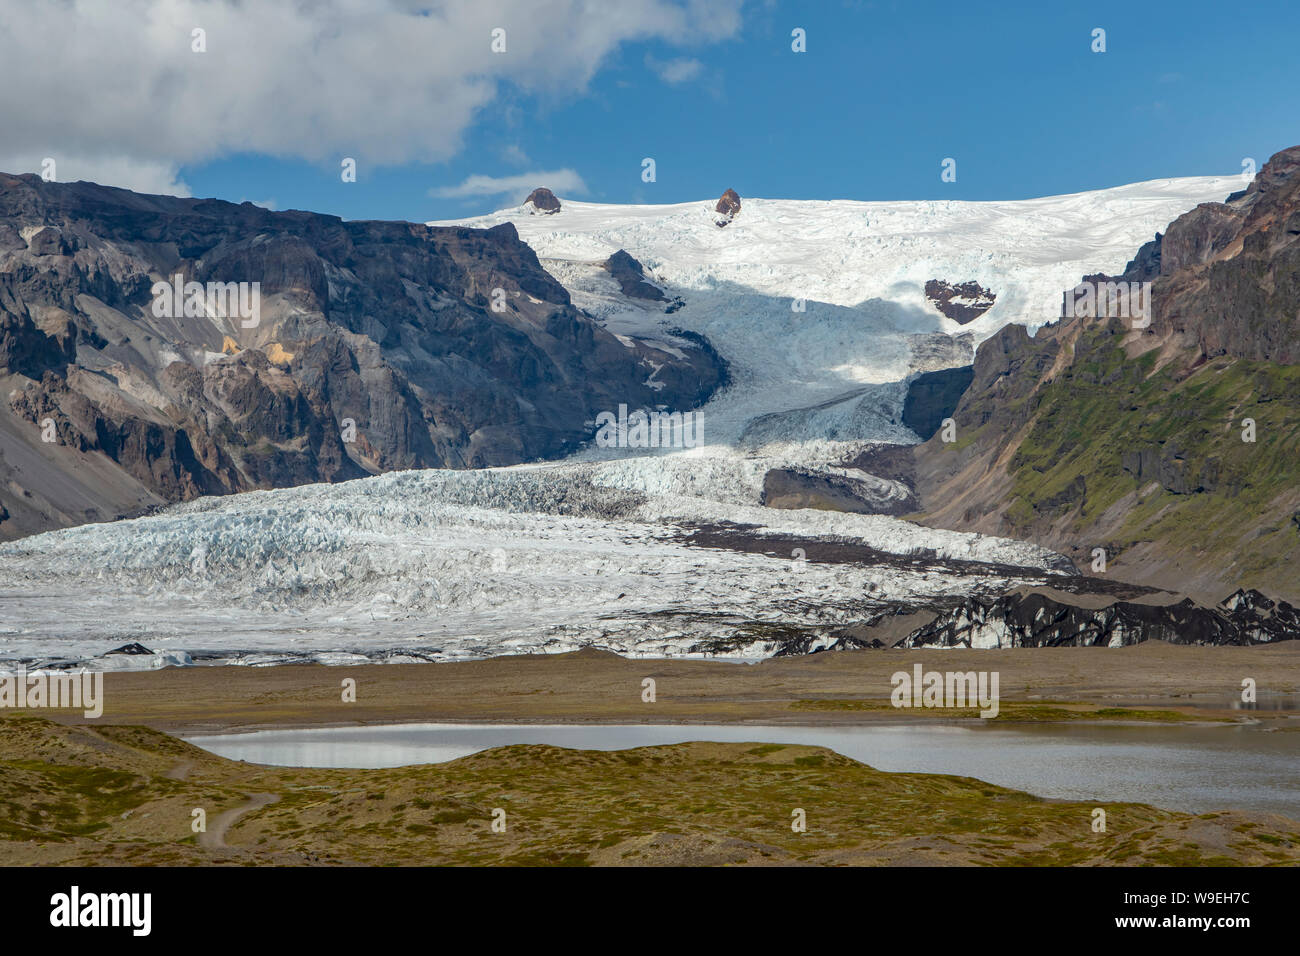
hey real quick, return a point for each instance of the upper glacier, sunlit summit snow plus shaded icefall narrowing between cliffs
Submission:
(812, 301)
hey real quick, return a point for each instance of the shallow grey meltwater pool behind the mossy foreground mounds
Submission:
(1193, 769)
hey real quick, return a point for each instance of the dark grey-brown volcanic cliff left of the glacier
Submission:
(378, 347)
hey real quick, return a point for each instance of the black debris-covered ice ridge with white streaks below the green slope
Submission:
(1038, 621)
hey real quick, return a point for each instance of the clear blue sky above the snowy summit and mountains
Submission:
(885, 93)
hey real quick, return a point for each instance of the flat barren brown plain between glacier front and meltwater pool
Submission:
(591, 686)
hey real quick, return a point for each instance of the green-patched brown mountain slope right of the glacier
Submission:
(1099, 434)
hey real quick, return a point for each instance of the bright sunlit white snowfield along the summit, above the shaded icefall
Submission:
(846, 253)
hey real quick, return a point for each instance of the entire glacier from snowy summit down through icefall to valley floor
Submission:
(601, 550)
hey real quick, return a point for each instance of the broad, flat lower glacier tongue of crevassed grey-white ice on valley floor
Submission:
(445, 564)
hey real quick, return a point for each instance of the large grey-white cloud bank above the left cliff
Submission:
(118, 90)
